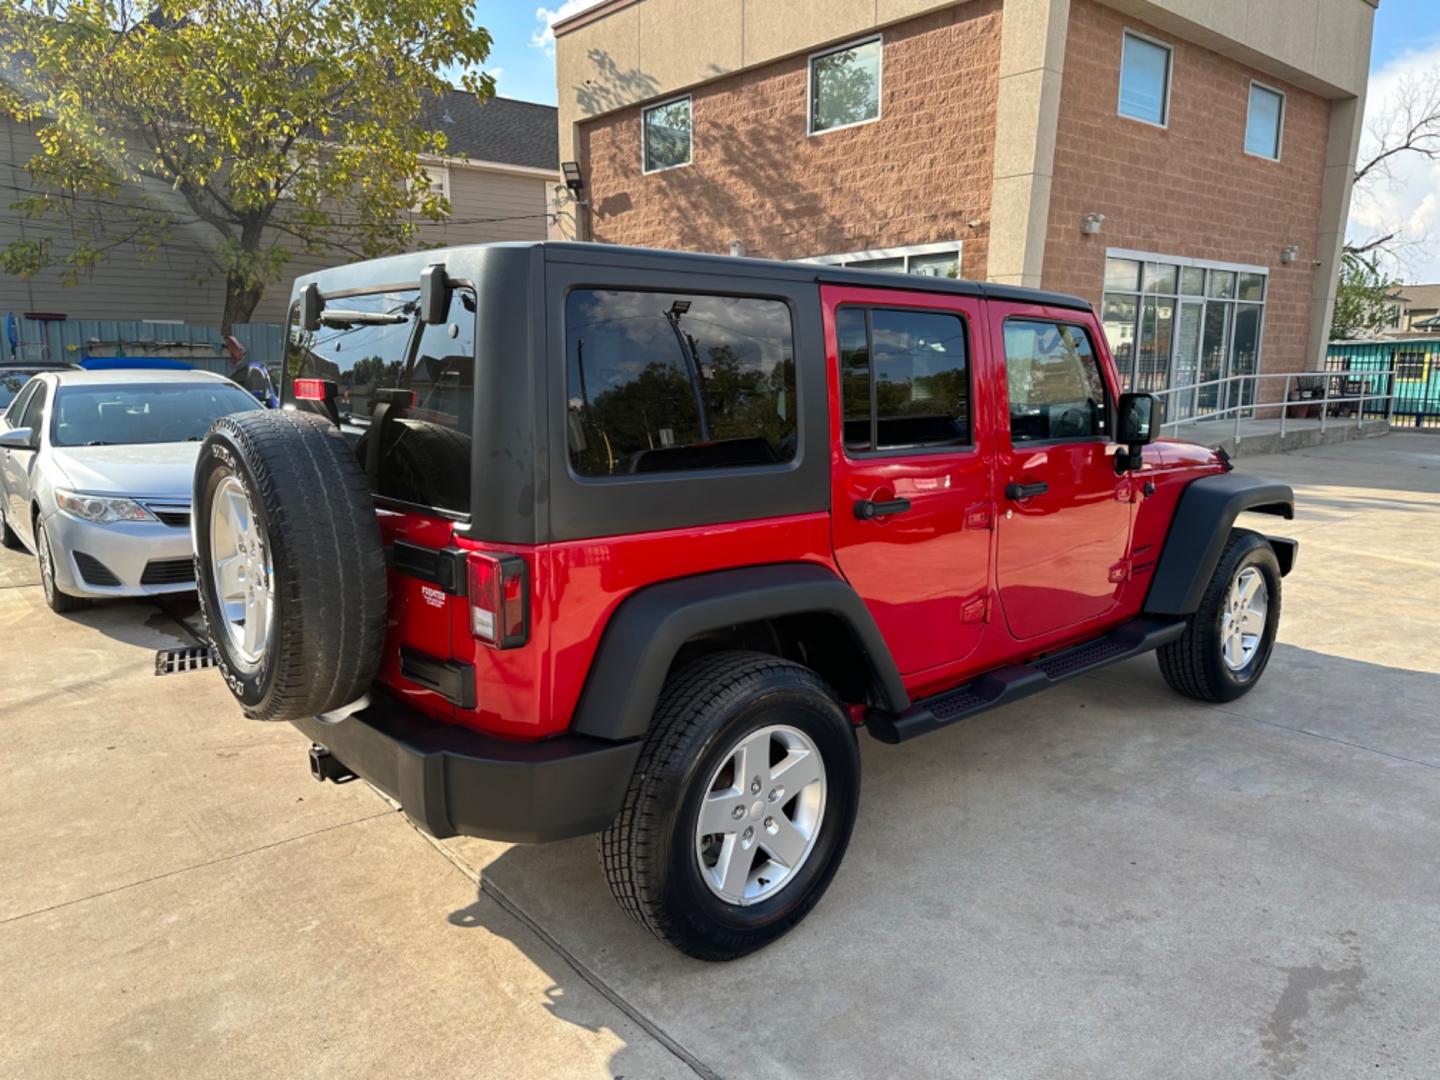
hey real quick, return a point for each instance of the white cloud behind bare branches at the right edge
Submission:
(1406, 197)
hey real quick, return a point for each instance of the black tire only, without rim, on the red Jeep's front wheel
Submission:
(1193, 663)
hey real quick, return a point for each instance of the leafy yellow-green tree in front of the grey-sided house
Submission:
(269, 127)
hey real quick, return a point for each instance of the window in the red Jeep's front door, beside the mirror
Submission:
(1056, 388)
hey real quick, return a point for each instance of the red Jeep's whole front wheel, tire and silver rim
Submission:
(1228, 642)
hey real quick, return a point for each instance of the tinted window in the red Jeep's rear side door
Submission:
(905, 379)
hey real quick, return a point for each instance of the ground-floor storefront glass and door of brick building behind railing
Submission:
(1174, 323)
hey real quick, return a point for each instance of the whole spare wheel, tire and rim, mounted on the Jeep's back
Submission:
(290, 568)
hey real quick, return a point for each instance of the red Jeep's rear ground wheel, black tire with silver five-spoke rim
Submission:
(741, 807)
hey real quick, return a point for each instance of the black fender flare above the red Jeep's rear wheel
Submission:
(649, 627)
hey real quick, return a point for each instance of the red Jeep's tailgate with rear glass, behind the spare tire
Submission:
(404, 394)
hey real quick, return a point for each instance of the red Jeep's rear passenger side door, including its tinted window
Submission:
(912, 503)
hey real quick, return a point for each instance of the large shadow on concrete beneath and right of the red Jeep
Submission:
(1088, 860)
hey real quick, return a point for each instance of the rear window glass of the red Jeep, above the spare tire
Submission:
(424, 374)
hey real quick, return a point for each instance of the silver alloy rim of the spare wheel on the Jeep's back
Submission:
(244, 577)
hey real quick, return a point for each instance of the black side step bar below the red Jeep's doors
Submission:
(1012, 683)
